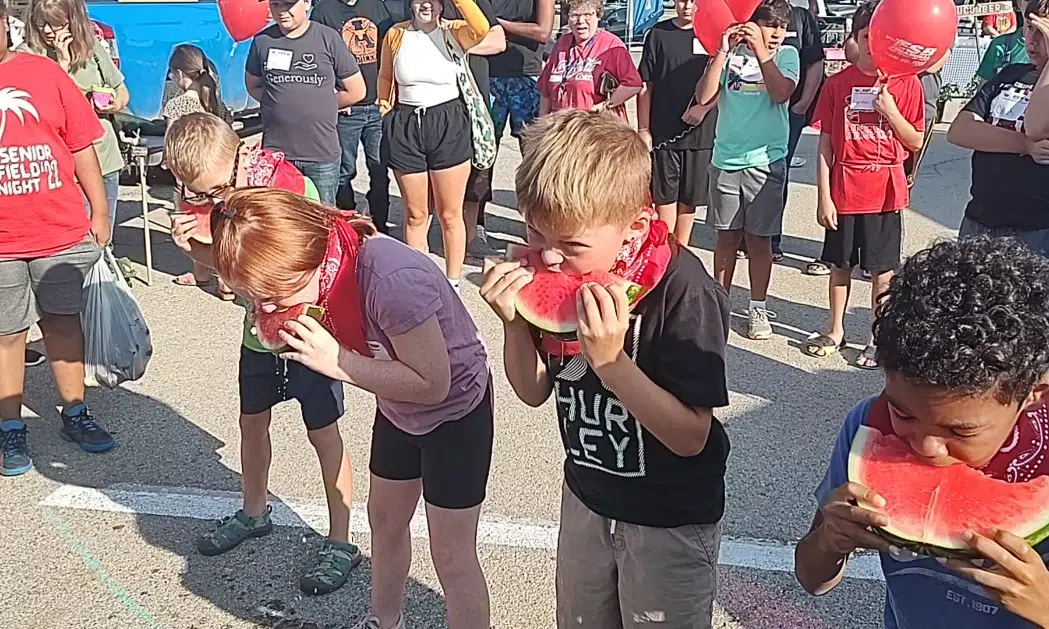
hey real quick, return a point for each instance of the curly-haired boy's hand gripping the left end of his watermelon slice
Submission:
(847, 527)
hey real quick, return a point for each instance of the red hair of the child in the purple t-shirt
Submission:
(266, 242)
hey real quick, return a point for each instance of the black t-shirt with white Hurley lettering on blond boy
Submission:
(618, 469)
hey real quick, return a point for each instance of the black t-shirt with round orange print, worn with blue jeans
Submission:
(363, 25)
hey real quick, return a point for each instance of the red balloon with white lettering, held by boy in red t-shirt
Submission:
(909, 36)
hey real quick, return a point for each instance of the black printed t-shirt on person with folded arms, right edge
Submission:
(1009, 190)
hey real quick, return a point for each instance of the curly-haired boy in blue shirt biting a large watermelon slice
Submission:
(964, 339)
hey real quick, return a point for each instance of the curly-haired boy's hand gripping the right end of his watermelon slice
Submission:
(1019, 579)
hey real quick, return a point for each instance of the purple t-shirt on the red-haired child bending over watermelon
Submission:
(401, 289)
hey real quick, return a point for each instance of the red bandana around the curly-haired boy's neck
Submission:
(1024, 457)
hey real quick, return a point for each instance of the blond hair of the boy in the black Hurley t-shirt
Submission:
(582, 169)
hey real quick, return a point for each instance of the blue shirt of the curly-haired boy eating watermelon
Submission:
(922, 594)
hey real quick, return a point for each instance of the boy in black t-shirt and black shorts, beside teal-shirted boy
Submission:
(677, 129)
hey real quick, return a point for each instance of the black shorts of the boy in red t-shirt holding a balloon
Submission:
(873, 242)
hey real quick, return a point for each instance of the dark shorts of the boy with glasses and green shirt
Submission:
(267, 380)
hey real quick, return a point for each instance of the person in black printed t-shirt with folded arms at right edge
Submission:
(1010, 170)
